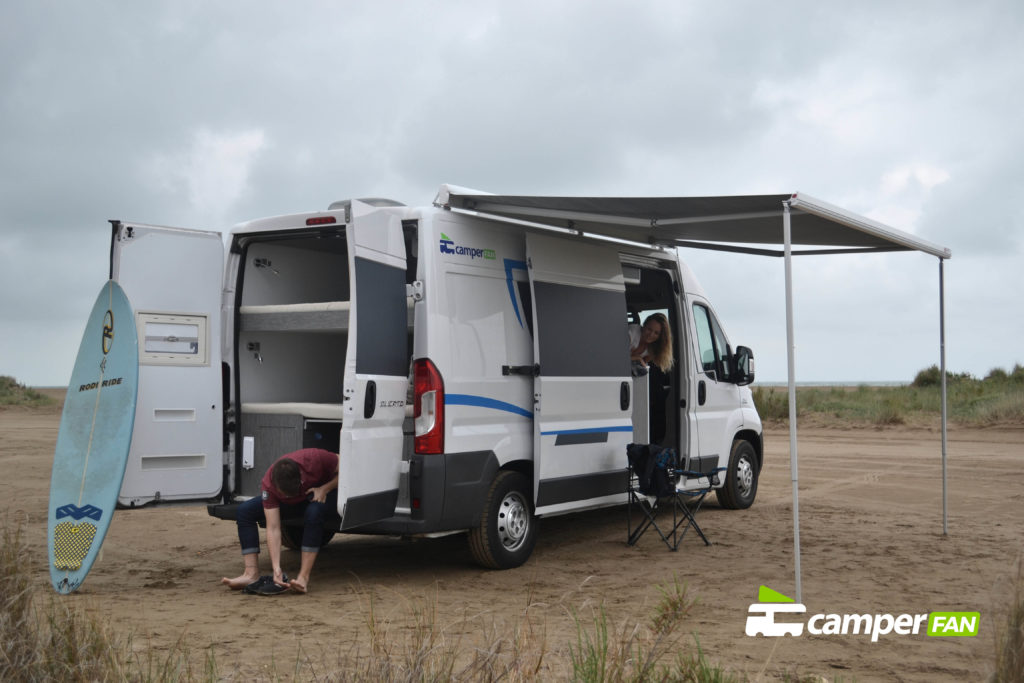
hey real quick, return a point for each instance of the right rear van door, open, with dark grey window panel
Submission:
(376, 368)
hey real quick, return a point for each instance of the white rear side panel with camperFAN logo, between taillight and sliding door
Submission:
(479, 326)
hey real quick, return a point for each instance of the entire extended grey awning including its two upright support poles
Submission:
(774, 223)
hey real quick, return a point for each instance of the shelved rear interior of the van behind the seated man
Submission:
(292, 337)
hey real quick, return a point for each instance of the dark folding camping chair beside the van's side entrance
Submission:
(659, 486)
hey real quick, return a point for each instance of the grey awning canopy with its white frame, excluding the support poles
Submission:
(729, 224)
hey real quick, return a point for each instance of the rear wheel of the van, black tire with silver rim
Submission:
(507, 533)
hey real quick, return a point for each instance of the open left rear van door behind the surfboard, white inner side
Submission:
(174, 279)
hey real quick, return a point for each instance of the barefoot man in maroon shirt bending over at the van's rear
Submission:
(304, 483)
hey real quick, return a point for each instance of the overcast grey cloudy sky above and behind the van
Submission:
(205, 114)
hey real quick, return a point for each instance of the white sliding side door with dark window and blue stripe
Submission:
(583, 392)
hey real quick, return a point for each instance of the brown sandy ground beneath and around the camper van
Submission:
(871, 504)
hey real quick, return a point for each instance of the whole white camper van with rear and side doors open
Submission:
(472, 370)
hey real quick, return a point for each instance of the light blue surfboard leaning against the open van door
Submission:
(96, 435)
